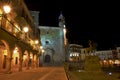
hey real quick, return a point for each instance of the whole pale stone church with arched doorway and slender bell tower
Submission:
(52, 41)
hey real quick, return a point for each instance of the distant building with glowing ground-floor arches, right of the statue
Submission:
(109, 58)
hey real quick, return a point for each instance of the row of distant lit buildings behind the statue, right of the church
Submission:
(107, 58)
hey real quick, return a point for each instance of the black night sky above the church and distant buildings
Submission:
(98, 21)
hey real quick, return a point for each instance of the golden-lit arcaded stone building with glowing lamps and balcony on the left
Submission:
(19, 46)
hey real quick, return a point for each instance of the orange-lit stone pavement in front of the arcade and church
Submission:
(42, 73)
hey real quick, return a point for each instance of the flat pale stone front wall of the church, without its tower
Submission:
(53, 45)
